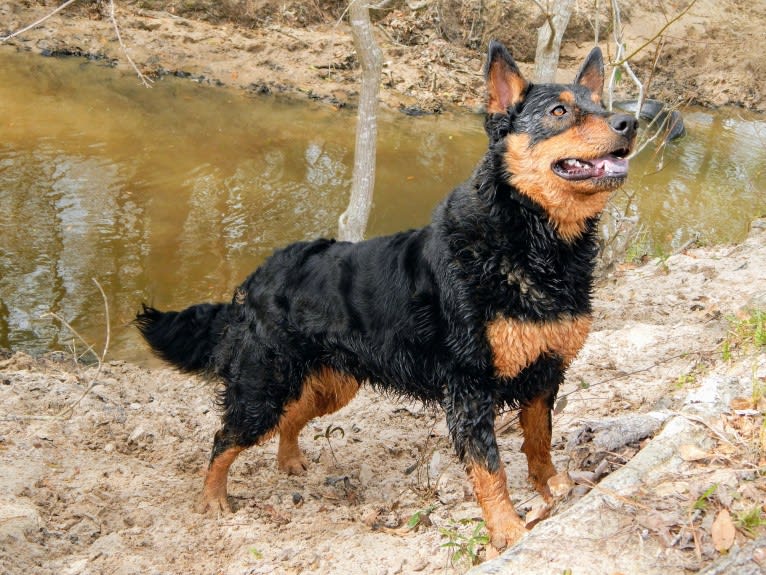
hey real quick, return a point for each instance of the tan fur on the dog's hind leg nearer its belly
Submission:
(323, 392)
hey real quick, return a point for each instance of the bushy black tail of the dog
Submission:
(185, 339)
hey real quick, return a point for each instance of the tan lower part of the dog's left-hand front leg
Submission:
(491, 488)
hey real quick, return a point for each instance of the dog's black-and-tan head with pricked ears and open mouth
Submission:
(560, 147)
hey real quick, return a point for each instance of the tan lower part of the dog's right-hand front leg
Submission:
(536, 425)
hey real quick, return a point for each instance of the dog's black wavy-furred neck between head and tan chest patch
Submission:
(498, 236)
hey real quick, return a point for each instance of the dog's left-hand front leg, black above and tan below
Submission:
(471, 418)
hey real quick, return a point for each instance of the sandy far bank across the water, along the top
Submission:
(712, 56)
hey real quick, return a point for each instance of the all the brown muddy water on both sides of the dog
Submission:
(173, 195)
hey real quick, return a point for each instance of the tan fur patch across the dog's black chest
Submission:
(516, 344)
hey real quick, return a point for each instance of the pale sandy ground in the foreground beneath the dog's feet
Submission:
(112, 488)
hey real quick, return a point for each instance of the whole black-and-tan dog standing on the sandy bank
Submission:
(483, 308)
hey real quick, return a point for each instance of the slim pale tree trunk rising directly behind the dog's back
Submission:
(353, 221)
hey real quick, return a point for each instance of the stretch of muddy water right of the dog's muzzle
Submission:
(710, 185)
